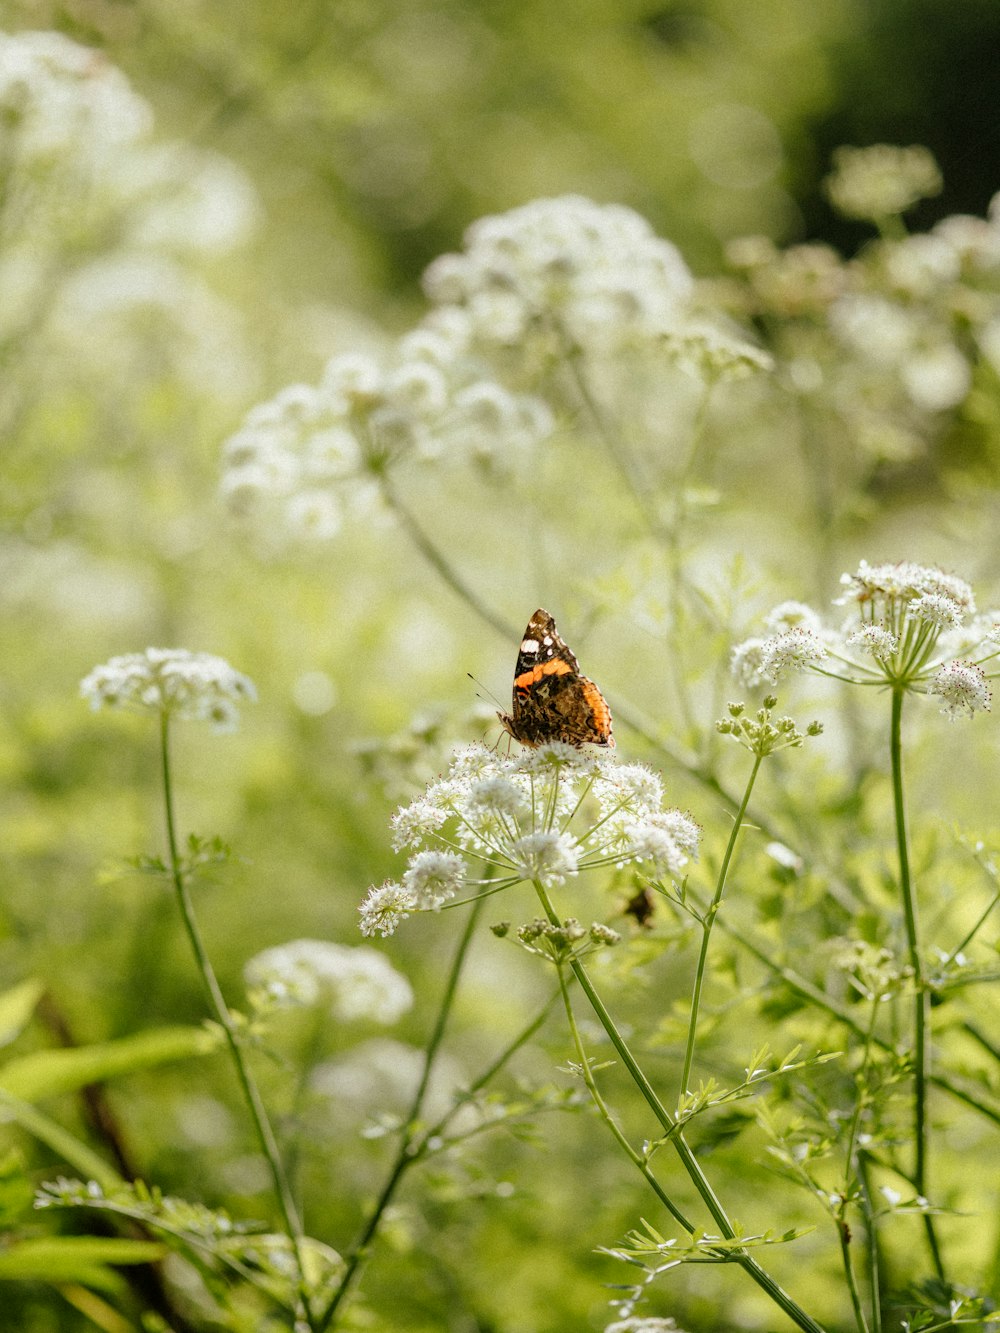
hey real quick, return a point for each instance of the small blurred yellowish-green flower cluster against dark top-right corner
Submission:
(882, 182)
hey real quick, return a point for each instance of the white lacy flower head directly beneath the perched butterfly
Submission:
(545, 815)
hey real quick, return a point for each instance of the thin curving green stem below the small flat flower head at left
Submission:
(251, 1095)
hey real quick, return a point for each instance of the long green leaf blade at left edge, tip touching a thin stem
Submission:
(47, 1074)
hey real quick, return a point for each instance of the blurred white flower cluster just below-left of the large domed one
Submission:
(317, 451)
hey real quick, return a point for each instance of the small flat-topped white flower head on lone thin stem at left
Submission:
(171, 680)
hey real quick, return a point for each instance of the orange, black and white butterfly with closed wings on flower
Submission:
(553, 702)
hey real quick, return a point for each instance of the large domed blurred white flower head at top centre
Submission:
(563, 273)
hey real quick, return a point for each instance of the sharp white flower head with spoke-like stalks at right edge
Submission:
(909, 626)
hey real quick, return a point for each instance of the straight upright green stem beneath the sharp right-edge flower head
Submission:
(922, 1000)
